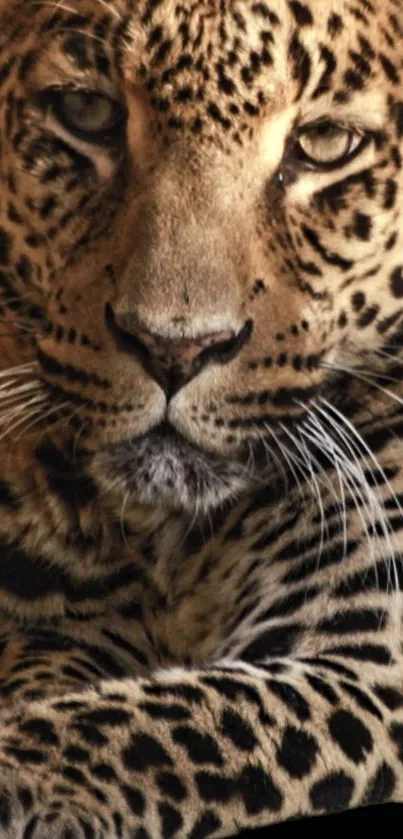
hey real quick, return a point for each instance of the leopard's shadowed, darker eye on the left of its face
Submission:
(90, 115)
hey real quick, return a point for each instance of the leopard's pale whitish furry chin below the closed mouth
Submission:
(162, 468)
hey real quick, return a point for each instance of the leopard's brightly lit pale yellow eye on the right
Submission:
(327, 145)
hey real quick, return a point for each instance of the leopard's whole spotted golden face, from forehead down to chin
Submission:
(200, 222)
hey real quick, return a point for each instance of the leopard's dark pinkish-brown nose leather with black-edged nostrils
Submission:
(174, 363)
